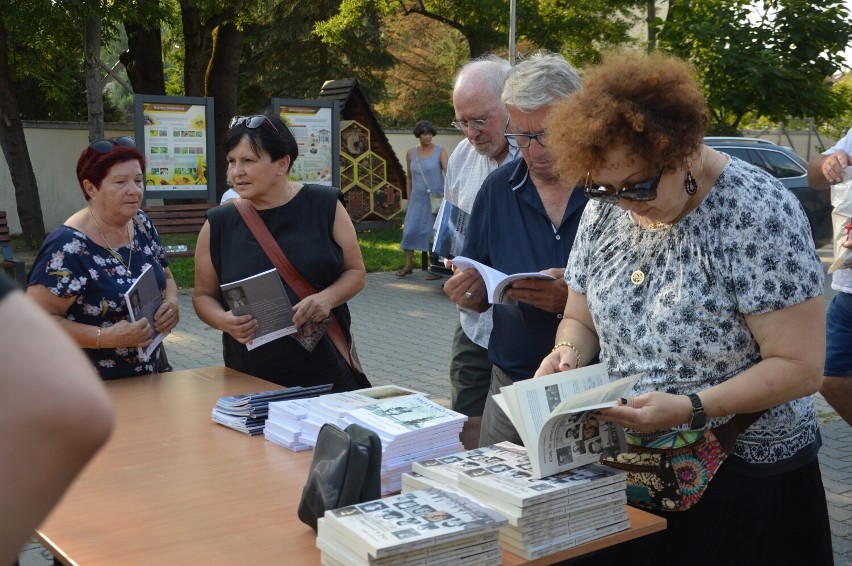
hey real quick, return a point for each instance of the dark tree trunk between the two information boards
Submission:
(221, 83)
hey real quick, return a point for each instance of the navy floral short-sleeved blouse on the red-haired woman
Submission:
(70, 264)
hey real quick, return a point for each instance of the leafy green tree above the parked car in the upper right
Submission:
(767, 59)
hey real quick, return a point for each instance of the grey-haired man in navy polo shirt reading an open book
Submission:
(523, 220)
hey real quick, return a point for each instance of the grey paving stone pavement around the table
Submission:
(404, 329)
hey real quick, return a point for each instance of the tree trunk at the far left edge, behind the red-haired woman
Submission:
(14, 146)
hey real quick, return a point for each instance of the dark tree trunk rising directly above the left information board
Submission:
(144, 62)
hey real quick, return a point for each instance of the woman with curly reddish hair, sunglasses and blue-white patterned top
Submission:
(697, 272)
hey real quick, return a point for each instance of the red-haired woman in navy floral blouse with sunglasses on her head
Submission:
(87, 264)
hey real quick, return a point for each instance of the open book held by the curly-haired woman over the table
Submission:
(551, 414)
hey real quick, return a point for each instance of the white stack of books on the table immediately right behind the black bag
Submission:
(411, 428)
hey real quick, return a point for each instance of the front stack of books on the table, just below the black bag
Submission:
(430, 526)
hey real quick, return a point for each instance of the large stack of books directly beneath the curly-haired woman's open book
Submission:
(544, 515)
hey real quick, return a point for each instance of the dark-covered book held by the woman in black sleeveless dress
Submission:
(264, 298)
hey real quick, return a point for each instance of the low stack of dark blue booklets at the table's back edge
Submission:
(248, 413)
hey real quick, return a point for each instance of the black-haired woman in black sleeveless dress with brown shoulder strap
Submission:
(315, 232)
